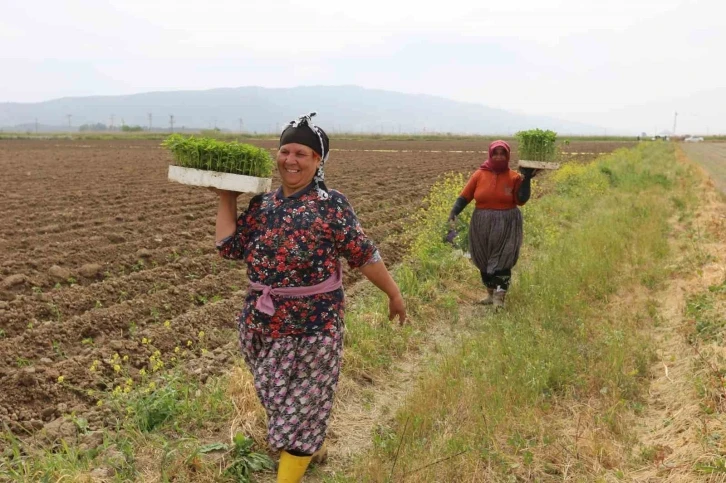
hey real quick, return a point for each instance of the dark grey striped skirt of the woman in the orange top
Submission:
(495, 237)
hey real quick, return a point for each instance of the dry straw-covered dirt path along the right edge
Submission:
(676, 434)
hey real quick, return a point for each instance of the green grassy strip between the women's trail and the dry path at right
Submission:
(492, 399)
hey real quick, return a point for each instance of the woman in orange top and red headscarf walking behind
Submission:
(495, 233)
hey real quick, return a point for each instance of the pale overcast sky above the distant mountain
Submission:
(620, 64)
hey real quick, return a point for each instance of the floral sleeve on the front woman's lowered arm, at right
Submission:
(351, 241)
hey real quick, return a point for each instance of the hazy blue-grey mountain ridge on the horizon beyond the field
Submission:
(339, 108)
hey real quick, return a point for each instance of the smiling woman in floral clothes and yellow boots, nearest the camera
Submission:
(291, 326)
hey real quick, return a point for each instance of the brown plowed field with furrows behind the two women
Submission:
(101, 255)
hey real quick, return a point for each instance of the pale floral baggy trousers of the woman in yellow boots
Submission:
(295, 378)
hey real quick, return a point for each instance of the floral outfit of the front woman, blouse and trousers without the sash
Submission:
(295, 354)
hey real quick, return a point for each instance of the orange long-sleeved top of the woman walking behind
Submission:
(493, 191)
